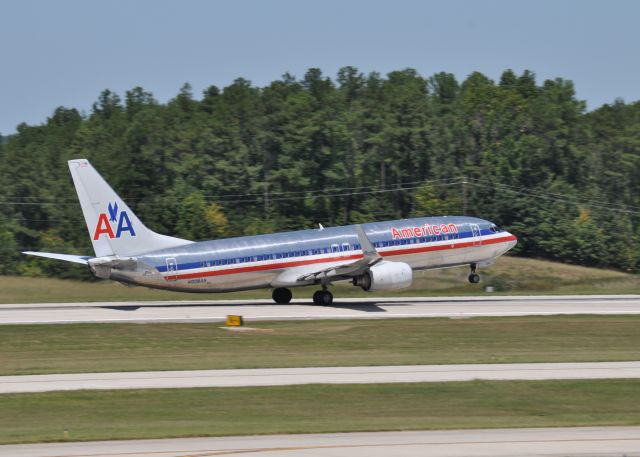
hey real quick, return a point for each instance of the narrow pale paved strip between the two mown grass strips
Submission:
(324, 375)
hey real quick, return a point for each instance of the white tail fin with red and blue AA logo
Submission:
(114, 229)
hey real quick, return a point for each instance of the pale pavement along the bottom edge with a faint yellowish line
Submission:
(586, 441)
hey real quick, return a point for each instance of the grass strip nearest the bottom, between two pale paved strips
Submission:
(129, 414)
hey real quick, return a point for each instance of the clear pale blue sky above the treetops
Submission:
(65, 52)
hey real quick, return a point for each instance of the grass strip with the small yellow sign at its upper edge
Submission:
(75, 348)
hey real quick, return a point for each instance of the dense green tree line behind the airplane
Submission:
(244, 160)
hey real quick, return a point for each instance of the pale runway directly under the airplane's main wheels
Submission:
(354, 308)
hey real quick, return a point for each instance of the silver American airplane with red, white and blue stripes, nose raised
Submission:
(375, 256)
